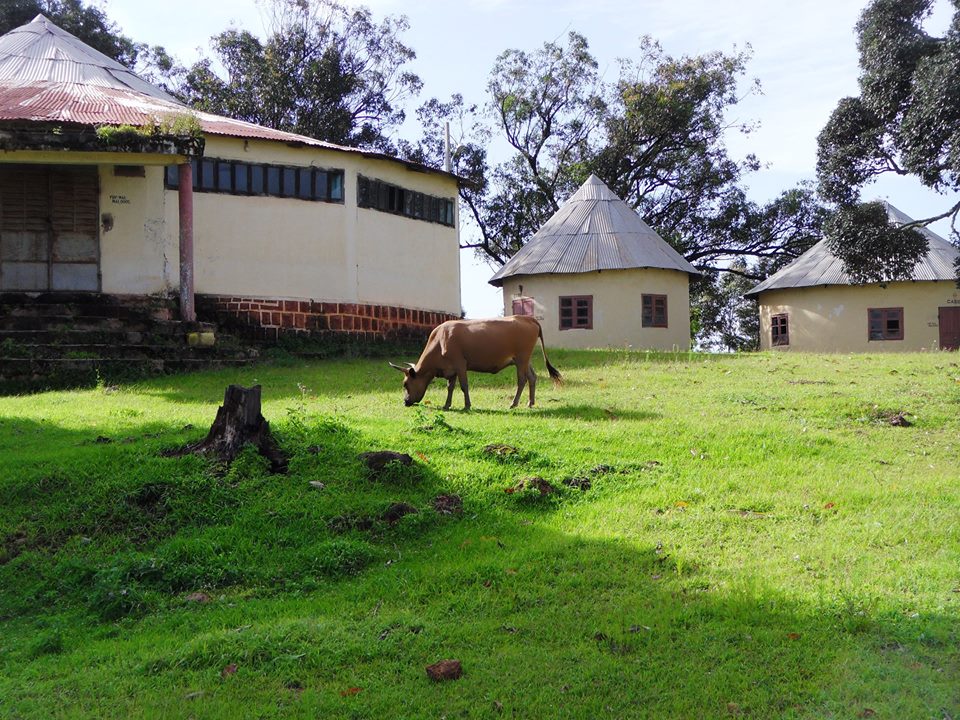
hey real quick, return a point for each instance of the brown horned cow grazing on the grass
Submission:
(457, 346)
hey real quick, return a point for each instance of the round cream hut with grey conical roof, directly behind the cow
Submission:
(596, 275)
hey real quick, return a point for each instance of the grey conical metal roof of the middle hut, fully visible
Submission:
(594, 230)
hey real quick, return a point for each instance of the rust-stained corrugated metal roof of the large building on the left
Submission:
(49, 75)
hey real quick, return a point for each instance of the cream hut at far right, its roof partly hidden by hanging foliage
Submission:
(812, 305)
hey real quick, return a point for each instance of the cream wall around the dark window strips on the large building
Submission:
(285, 248)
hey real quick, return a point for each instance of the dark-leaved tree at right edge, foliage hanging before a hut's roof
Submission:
(906, 121)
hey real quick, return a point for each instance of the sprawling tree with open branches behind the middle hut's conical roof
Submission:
(656, 136)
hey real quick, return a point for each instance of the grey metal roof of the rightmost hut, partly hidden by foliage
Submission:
(819, 266)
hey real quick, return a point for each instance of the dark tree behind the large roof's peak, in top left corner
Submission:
(87, 22)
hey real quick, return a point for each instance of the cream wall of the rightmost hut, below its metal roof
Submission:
(834, 318)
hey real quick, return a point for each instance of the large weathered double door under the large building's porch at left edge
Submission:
(49, 228)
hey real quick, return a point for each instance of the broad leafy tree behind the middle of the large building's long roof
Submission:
(324, 70)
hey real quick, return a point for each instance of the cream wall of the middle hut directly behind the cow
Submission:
(616, 307)
